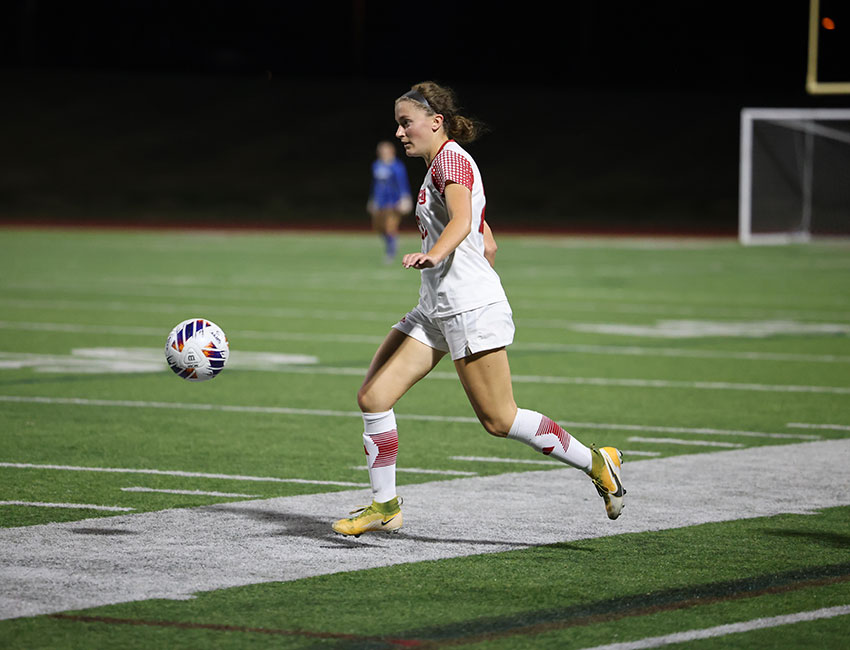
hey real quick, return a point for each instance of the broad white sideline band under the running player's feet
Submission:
(177, 552)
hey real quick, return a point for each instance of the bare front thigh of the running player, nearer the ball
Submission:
(399, 363)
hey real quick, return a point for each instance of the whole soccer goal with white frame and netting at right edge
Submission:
(794, 175)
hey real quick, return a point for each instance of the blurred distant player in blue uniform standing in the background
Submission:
(389, 196)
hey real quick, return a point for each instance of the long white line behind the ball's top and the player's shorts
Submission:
(617, 350)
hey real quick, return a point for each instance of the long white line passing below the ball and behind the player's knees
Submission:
(281, 410)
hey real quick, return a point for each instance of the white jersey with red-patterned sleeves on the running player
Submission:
(464, 280)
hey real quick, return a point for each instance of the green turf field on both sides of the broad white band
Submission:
(665, 348)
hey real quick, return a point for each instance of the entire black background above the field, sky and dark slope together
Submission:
(602, 115)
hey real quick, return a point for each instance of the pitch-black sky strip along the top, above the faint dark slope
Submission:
(648, 44)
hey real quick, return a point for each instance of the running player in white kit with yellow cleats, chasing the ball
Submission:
(462, 311)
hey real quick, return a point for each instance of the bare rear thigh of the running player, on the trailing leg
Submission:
(486, 378)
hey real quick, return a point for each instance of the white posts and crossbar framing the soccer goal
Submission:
(798, 119)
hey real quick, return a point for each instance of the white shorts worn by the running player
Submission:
(469, 332)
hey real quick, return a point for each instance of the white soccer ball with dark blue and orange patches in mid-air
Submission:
(197, 349)
